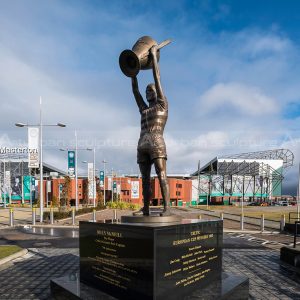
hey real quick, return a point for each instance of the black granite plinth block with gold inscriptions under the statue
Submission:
(151, 261)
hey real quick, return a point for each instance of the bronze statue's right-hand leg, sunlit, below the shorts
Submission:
(161, 171)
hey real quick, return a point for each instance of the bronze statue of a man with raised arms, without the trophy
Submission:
(151, 146)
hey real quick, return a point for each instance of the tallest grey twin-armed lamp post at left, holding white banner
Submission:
(41, 125)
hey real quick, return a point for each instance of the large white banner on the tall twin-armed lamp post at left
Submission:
(33, 147)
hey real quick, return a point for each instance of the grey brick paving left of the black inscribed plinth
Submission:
(29, 278)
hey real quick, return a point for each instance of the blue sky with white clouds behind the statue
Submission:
(231, 76)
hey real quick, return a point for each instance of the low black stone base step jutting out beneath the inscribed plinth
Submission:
(230, 287)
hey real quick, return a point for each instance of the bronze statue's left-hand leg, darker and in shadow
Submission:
(145, 168)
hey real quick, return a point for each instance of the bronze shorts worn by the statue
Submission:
(151, 146)
